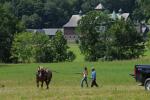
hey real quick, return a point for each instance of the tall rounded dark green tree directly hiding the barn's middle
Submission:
(92, 35)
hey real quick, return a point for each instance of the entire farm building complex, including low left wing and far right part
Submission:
(69, 29)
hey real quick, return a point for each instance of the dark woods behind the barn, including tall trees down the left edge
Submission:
(18, 15)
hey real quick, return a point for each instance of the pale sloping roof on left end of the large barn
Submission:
(73, 22)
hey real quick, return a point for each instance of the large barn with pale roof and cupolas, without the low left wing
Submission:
(70, 27)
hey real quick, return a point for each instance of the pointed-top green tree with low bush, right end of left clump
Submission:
(60, 47)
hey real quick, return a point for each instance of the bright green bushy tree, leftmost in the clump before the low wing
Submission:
(23, 50)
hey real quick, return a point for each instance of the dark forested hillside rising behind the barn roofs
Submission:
(55, 13)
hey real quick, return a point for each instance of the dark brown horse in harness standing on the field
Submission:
(43, 75)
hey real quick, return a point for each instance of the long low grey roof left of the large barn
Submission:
(49, 31)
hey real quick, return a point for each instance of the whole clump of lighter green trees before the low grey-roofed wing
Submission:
(37, 47)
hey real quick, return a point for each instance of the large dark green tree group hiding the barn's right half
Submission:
(104, 38)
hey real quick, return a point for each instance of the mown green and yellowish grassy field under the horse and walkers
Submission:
(17, 81)
